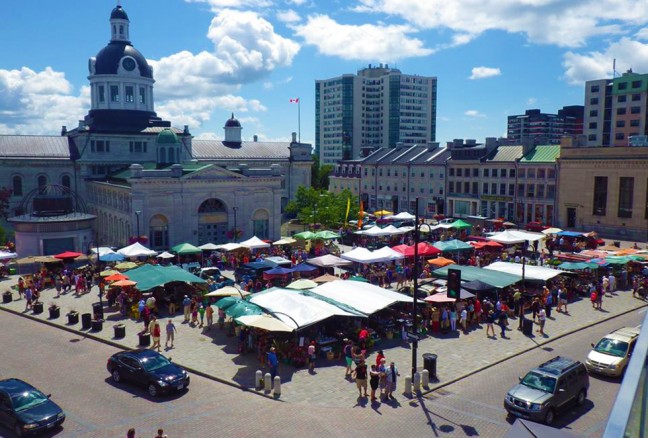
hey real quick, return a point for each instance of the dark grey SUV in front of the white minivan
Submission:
(548, 389)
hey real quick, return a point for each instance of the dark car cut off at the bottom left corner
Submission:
(26, 410)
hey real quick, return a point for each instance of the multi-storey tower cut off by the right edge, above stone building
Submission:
(616, 111)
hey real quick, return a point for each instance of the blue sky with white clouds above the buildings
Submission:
(492, 58)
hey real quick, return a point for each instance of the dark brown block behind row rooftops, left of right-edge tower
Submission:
(543, 127)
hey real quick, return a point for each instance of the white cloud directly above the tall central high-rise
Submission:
(361, 42)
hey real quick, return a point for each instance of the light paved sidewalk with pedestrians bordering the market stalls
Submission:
(214, 354)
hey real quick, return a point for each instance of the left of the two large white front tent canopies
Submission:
(296, 308)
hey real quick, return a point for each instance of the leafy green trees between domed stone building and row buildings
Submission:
(314, 206)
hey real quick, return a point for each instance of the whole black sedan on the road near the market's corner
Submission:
(148, 368)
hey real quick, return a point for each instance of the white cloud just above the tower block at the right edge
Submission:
(598, 65)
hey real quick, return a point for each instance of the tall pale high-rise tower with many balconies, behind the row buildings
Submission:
(378, 107)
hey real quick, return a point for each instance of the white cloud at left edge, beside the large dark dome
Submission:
(38, 102)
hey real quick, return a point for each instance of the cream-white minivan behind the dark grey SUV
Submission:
(611, 354)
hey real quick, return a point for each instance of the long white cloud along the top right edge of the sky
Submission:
(559, 22)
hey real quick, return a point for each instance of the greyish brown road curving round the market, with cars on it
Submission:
(72, 369)
